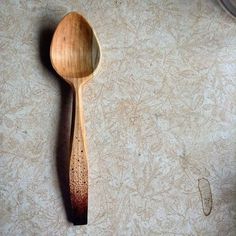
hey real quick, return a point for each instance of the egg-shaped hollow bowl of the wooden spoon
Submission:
(74, 51)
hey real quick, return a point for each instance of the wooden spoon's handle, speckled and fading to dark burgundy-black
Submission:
(78, 174)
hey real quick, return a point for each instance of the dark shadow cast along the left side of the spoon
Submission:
(63, 144)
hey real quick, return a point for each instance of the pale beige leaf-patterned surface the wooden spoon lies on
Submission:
(160, 115)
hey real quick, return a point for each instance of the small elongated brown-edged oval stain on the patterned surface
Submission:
(206, 195)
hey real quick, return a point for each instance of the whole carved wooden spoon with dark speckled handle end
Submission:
(75, 54)
